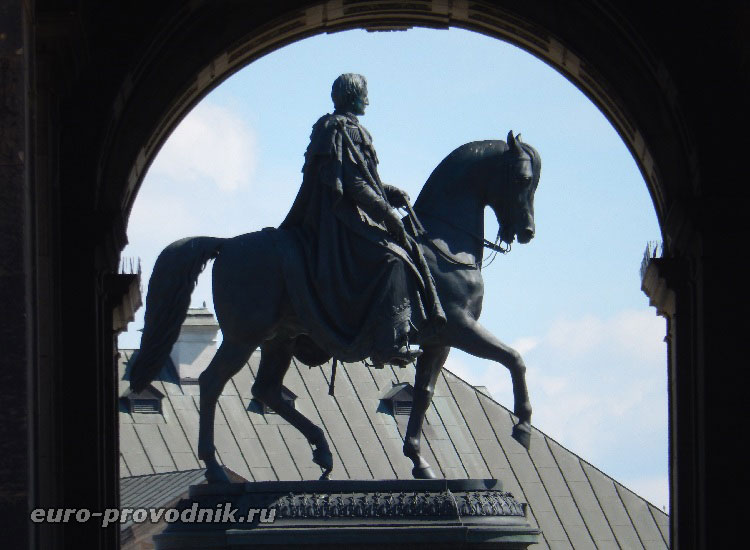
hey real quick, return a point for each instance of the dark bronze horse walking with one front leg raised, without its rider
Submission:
(253, 308)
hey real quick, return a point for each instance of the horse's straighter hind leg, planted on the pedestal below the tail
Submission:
(227, 362)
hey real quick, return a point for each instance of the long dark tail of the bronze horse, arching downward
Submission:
(172, 282)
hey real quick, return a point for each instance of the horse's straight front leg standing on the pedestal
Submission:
(428, 369)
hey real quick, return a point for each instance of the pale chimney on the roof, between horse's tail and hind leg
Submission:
(196, 345)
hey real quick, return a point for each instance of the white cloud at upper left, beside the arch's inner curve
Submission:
(210, 144)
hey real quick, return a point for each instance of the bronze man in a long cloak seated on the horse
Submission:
(358, 253)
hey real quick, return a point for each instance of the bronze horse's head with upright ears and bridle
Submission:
(512, 198)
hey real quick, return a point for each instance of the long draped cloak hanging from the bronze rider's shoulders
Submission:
(350, 284)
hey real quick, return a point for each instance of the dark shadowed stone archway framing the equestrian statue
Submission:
(101, 87)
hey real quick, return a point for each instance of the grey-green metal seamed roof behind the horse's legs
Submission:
(466, 434)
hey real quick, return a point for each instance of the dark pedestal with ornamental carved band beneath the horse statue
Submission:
(413, 514)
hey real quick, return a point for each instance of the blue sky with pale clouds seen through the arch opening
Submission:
(570, 300)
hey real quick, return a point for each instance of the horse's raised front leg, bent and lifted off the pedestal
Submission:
(471, 337)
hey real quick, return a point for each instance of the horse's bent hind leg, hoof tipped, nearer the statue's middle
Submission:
(274, 363)
